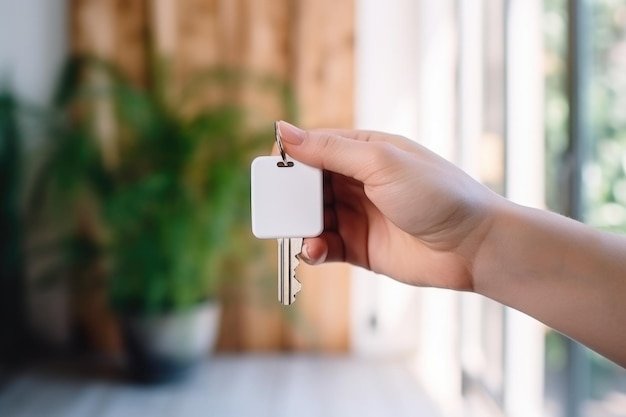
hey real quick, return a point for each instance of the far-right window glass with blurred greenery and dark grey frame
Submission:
(586, 153)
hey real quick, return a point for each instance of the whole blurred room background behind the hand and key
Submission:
(129, 279)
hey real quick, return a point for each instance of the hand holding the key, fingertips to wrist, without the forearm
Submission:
(394, 207)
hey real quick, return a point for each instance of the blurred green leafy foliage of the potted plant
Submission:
(171, 181)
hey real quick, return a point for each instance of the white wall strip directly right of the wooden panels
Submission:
(384, 312)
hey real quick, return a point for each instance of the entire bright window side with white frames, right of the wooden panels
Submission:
(485, 84)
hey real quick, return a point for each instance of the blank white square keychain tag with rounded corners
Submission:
(287, 199)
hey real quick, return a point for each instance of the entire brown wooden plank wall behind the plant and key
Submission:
(309, 43)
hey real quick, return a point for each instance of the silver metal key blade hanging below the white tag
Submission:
(288, 261)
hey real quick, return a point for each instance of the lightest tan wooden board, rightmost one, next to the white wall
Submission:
(323, 70)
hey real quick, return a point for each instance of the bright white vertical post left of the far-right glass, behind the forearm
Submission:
(525, 175)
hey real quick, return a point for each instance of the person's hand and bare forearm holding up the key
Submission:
(396, 208)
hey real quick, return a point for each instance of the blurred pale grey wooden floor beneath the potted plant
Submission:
(242, 386)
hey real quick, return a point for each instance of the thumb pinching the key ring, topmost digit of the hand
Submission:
(331, 152)
